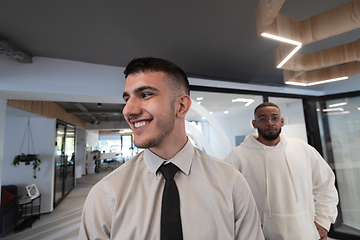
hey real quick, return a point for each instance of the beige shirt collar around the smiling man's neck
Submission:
(182, 159)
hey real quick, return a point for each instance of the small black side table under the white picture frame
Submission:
(29, 218)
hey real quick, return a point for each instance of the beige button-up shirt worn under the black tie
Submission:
(215, 200)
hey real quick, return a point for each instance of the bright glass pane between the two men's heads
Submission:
(218, 122)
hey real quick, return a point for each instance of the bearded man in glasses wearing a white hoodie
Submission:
(292, 184)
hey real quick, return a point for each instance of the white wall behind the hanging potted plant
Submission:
(43, 136)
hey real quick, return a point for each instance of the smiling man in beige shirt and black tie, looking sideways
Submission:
(214, 200)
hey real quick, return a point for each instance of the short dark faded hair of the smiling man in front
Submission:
(177, 75)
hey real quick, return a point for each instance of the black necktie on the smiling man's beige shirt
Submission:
(170, 208)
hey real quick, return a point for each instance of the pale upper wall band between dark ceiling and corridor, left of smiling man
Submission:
(45, 79)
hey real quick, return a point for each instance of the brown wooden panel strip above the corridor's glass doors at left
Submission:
(48, 110)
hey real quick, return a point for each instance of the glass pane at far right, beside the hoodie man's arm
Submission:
(339, 122)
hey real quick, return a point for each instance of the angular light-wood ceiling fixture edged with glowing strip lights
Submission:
(331, 63)
